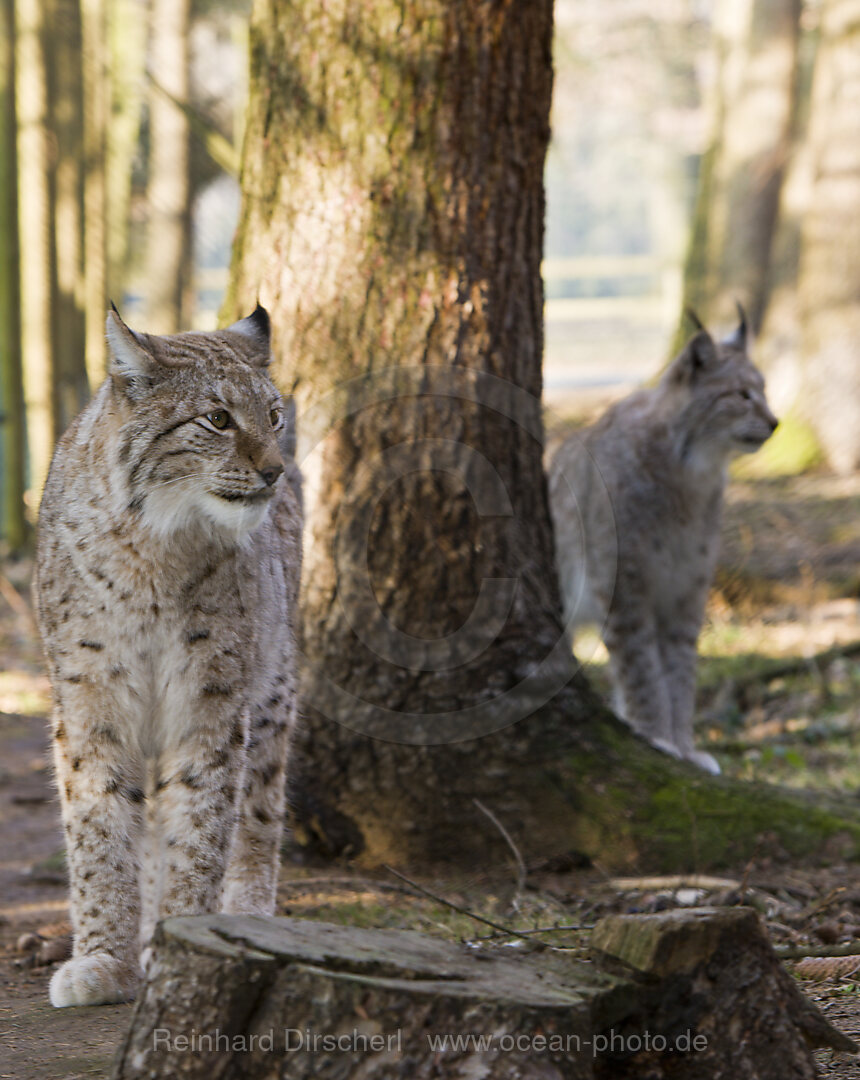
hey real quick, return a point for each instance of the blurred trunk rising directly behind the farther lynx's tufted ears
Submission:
(743, 171)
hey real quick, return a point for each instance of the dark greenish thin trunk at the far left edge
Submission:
(15, 525)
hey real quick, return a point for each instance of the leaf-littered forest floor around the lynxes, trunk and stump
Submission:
(780, 700)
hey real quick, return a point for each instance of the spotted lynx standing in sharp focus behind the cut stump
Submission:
(168, 568)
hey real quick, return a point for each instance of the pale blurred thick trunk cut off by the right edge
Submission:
(830, 267)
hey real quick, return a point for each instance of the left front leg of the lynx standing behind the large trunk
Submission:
(640, 681)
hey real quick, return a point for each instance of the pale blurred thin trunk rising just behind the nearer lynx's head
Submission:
(168, 192)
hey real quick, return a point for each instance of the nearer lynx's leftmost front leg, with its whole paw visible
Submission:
(101, 799)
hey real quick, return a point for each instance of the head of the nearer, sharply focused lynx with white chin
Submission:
(204, 430)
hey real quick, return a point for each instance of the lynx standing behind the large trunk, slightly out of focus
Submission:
(637, 505)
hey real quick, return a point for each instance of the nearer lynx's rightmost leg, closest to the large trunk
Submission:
(252, 874)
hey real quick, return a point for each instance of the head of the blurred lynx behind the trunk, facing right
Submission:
(720, 395)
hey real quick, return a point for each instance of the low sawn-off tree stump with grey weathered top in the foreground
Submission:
(693, 995)
